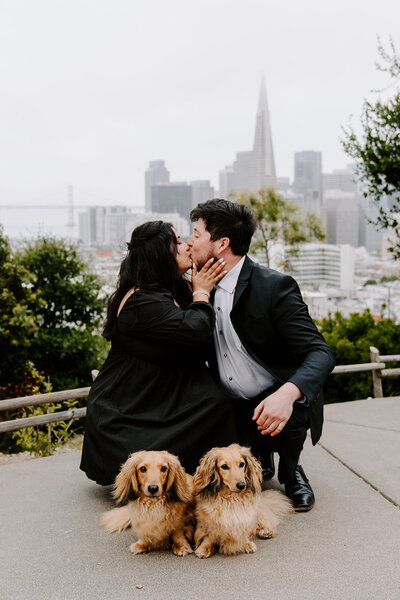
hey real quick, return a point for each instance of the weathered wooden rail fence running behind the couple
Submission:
(377, 366)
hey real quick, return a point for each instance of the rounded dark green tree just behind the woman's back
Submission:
(66, 303)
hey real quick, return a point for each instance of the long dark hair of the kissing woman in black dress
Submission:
(149, 263)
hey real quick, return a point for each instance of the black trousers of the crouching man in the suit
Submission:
(288, 444)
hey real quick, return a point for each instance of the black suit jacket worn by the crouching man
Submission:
(273, 324)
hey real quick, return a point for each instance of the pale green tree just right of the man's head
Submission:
(279, 221)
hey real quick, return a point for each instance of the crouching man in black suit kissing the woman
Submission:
(268, 352)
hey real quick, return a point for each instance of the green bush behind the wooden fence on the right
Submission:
(350, 339)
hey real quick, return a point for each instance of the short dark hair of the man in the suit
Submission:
(223, 218)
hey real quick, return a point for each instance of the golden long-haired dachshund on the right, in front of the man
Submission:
(230, 508)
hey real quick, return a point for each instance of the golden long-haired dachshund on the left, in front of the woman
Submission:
(160, 509)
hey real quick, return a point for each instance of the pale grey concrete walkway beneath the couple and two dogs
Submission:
(347, 547)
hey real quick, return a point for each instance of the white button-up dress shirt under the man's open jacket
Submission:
(238, 371)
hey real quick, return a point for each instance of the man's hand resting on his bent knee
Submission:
(272, 414)
